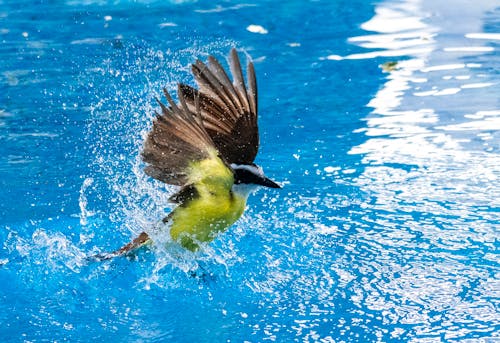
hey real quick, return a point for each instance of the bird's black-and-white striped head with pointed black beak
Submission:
(248, 176)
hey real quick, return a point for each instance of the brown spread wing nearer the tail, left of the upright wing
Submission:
(177, 143)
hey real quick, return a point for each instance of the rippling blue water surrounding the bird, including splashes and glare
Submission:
(386, 228)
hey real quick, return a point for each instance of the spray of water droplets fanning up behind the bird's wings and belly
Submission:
(117, 129)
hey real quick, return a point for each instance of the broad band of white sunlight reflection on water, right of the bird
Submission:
(440, 191)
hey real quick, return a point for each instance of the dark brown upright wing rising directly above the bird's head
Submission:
(228, 109)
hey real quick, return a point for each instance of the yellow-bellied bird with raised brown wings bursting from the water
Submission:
(205, 144)
